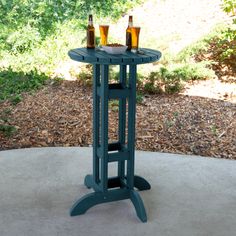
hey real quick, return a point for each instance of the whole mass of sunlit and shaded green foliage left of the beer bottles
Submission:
(35, 37)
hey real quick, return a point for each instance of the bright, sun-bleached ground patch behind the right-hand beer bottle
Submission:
(172, 24)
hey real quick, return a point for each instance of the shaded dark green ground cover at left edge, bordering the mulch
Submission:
(13, 83)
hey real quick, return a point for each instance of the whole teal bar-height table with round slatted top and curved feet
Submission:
(122, 151)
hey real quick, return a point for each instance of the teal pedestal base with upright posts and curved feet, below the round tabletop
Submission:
(99, 181)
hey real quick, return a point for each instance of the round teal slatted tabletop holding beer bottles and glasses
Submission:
(96, 56)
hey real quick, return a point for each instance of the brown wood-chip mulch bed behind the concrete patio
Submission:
(61, 115)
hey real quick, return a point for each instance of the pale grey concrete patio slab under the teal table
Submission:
(190, 196)
